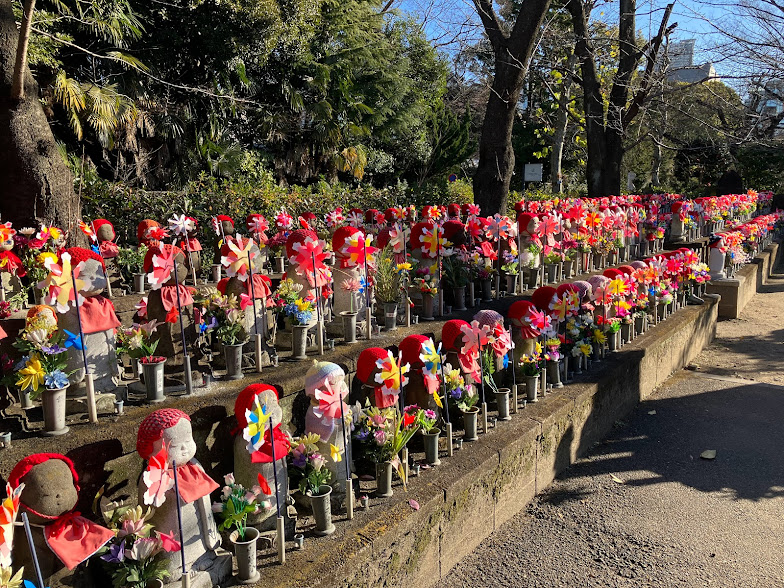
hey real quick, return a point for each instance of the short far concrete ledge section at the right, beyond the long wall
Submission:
(736, 293)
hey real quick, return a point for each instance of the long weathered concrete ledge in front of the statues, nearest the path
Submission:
(472, 494)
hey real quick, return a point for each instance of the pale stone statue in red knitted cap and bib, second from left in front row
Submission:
(171, 428)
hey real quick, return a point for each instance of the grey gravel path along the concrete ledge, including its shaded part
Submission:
(643, 509)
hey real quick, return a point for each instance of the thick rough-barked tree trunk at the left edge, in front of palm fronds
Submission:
(37, 184)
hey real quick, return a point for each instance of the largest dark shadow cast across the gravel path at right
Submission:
(742, 423)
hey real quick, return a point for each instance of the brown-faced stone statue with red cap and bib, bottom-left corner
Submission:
(63, 539)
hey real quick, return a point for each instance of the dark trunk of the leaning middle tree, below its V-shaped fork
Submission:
(496, 156)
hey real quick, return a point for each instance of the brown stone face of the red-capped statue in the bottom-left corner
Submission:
(49, 488)
